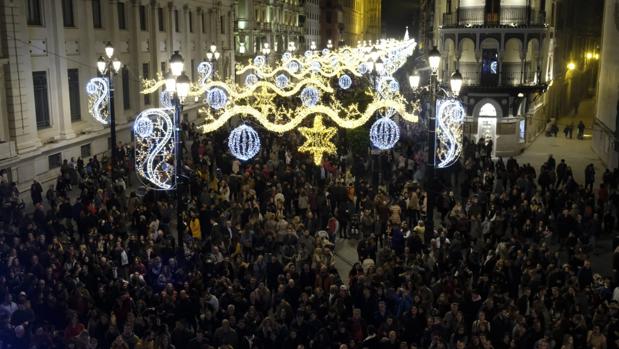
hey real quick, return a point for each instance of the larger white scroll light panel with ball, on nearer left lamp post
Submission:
(154, 148)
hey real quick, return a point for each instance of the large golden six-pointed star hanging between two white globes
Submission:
(318, 140)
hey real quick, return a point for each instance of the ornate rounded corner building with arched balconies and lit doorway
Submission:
(503, 49)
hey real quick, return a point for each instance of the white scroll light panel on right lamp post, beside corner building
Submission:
(449, 130)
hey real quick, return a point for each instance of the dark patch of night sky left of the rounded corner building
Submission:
(397, 14)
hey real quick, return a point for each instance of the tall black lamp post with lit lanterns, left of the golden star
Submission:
(177, 84)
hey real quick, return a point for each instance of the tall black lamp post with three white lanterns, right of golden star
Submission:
(434, 59)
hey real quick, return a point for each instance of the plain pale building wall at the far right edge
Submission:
(606, 121)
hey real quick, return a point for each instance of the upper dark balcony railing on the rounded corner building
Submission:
(513, 16)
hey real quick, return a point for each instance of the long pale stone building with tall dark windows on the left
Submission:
(49, 52)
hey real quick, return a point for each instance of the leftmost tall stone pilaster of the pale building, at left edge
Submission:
(18, 79)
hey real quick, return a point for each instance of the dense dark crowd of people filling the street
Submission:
(508, 265)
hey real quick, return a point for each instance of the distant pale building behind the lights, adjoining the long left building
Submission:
(272, 22)
